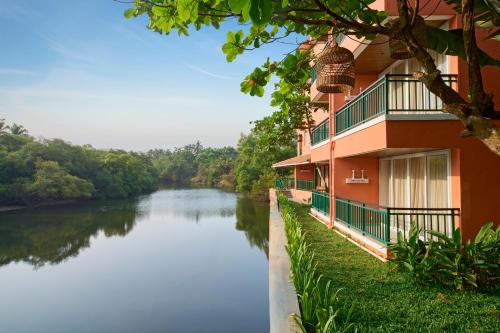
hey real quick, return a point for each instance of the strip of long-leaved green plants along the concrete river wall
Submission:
(319, 302)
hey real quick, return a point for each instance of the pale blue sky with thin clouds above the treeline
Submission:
(80, 71)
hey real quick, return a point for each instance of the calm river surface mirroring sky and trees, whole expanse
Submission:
(173, 261)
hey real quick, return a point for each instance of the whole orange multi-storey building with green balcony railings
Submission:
(385, 156)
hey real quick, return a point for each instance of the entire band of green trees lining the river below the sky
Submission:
(36, 171)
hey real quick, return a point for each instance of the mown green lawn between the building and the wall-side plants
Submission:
(386, 300)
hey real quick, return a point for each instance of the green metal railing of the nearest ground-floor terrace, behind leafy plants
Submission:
(384, 223)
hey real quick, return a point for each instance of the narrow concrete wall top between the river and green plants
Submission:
(282, 296)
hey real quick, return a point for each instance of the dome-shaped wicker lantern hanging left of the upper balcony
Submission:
(335, 70)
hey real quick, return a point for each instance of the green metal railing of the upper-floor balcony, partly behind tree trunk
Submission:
(395, 94)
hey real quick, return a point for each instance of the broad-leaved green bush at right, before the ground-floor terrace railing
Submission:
(446, 261)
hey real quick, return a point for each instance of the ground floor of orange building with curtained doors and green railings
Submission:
(374, 196)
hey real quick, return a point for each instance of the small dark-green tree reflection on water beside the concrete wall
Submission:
(253, 218)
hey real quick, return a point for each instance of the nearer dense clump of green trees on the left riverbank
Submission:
(33, 171)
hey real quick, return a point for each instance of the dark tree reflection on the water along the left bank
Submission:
(51, 235)
